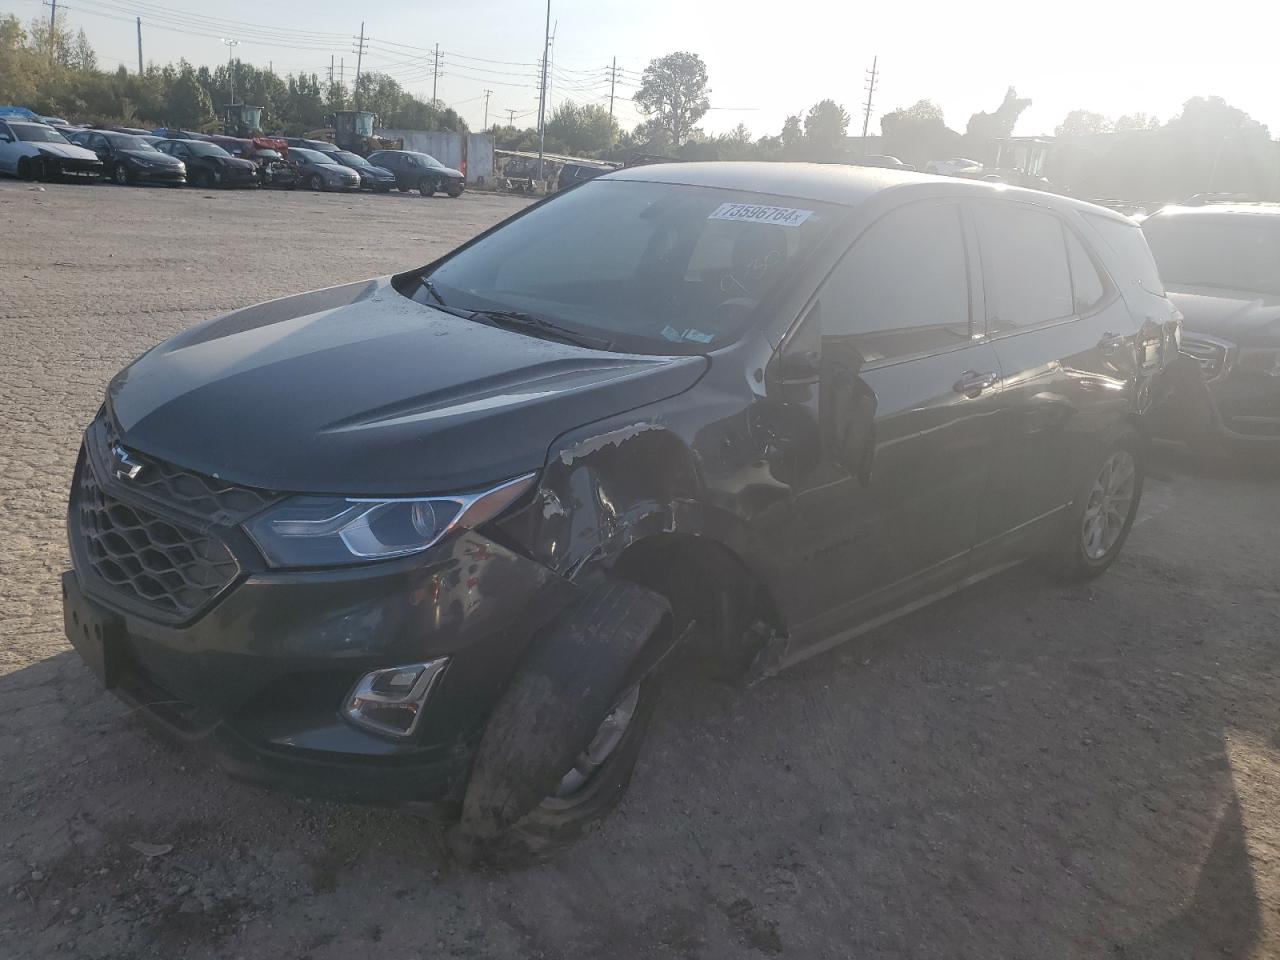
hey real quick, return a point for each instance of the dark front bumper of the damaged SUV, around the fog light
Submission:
(258, 680)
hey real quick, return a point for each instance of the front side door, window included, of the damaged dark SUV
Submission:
(908, 395)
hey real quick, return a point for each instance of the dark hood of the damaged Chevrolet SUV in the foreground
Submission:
(360, 391)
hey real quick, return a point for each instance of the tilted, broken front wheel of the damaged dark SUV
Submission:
(560, 748)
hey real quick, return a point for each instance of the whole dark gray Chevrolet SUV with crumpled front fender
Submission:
(429, 540)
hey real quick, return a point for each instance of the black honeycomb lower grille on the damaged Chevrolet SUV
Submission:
(170, 568)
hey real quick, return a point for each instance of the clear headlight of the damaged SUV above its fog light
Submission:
(326, 532)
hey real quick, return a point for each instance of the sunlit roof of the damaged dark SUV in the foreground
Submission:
(838, 184)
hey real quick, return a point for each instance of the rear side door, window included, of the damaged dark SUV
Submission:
(1066, 344)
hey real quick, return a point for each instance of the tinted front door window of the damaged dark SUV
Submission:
(904, 287)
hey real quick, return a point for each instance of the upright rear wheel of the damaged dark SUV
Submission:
(1104, 510)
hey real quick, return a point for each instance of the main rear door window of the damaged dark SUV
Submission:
(1025, 263)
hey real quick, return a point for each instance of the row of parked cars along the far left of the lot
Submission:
(36, 150)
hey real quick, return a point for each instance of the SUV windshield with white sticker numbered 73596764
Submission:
(648, 267)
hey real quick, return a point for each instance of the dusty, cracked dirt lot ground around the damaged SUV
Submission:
(1025, 771)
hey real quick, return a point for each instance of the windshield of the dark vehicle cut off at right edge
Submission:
(1229, 252)
